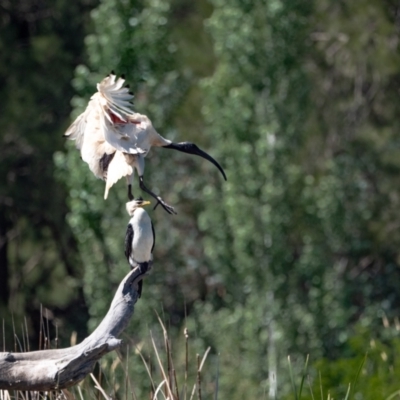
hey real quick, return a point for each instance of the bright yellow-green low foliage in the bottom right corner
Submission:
(371, 368)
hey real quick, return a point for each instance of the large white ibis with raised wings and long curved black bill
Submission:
(114, 140)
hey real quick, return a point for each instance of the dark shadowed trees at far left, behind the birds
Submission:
(39, 263)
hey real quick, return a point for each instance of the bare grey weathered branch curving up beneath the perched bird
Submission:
(60, 368)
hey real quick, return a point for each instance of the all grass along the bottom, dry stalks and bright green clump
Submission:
(159, 369)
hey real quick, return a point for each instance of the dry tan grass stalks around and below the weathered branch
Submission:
(116, 380)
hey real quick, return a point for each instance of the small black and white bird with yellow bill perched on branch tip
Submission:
(140, 237)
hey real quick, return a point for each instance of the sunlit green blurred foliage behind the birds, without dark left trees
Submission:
(286, 250)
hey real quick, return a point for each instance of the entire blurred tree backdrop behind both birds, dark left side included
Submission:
(298, 101)
